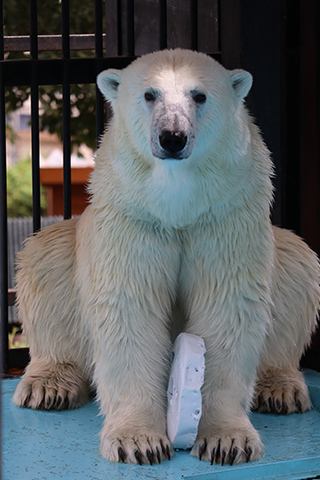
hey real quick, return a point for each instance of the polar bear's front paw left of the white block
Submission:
(138, 449)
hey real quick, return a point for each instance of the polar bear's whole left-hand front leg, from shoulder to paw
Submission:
(130, 314)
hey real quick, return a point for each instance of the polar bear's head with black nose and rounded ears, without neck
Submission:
(174, 104)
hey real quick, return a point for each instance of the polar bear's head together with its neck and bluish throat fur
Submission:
(179, 139)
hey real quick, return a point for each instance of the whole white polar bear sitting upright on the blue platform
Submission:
(178, 228)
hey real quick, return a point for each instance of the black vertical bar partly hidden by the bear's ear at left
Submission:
(99, 55)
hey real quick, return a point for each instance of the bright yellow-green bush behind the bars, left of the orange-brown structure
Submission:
(19, 186)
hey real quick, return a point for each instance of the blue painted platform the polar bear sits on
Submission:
(64, 445)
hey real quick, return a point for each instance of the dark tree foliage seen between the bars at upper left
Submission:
(16, 22)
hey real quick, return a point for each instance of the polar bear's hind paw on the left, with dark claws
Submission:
(47, 386)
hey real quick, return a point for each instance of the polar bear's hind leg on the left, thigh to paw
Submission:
(59, 371)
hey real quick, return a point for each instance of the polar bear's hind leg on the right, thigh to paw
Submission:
(281, 387)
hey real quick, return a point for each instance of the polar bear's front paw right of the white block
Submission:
(236, 448)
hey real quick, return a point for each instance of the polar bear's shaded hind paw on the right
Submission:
(282, 393)
